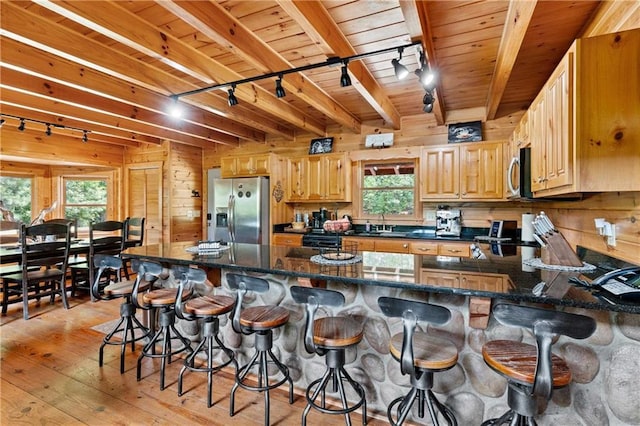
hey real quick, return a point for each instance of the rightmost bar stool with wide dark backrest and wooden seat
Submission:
(532, 372)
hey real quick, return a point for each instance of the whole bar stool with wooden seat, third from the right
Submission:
(330, 337)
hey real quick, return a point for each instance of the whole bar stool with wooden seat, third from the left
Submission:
(207, 308)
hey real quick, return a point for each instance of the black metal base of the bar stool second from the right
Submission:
(425, 398)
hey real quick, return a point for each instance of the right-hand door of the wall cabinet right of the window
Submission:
(481, 171)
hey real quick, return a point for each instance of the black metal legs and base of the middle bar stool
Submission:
(260, 361)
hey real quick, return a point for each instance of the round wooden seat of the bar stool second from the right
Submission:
(429, 352)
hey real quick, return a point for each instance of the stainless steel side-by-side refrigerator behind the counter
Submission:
(241, 210)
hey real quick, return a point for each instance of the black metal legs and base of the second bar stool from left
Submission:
(164, 334)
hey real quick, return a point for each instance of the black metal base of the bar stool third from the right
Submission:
(318, 388)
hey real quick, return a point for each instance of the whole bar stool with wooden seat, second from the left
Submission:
(163, 300)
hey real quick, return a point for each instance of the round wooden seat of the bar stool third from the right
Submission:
(337, 332)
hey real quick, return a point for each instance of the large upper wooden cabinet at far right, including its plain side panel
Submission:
(584, 125)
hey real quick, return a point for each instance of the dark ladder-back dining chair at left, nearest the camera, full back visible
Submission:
(44, 265)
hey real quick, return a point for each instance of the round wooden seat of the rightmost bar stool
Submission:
(517, 361)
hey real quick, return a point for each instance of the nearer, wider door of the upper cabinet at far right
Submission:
(559, 131)
